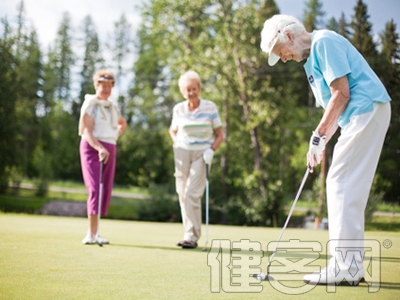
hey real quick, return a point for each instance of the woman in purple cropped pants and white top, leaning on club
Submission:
(100, 125)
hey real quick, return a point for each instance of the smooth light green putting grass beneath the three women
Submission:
(41, 257)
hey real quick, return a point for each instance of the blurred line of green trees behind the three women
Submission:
(268, 114)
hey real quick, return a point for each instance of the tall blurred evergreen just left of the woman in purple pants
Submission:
(57, 78)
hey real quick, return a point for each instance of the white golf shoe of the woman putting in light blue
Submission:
(330, 276)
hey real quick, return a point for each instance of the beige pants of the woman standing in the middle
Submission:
(190, 179)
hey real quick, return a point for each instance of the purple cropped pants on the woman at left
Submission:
(91, 176)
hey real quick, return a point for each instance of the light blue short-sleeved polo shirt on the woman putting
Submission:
(332, 56)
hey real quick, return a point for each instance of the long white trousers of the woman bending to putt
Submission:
(350, 177)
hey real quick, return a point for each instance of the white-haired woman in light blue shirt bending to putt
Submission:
(354, 99)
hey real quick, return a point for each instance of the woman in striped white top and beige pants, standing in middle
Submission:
(196, 131)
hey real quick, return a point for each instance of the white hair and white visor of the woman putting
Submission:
(273, 33)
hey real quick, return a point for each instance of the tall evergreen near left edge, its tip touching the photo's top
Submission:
(28, 68)
